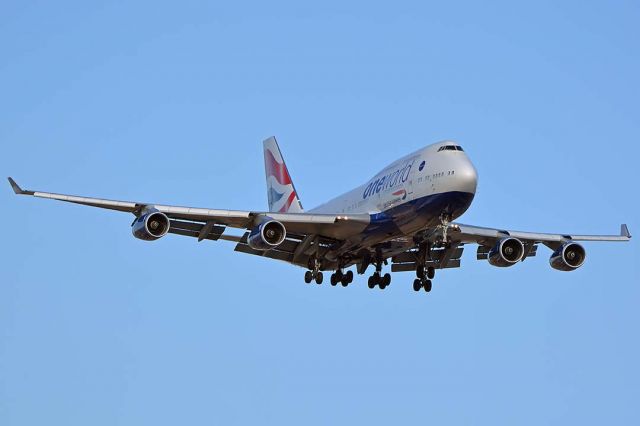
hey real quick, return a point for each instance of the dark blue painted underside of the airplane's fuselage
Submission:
(419, 213)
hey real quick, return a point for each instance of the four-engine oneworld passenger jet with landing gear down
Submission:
(403, 215)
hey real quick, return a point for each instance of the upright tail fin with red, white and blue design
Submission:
(282, 194)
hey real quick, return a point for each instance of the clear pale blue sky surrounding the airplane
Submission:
(170, 102)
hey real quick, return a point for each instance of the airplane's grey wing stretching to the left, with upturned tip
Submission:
(306, 233)
